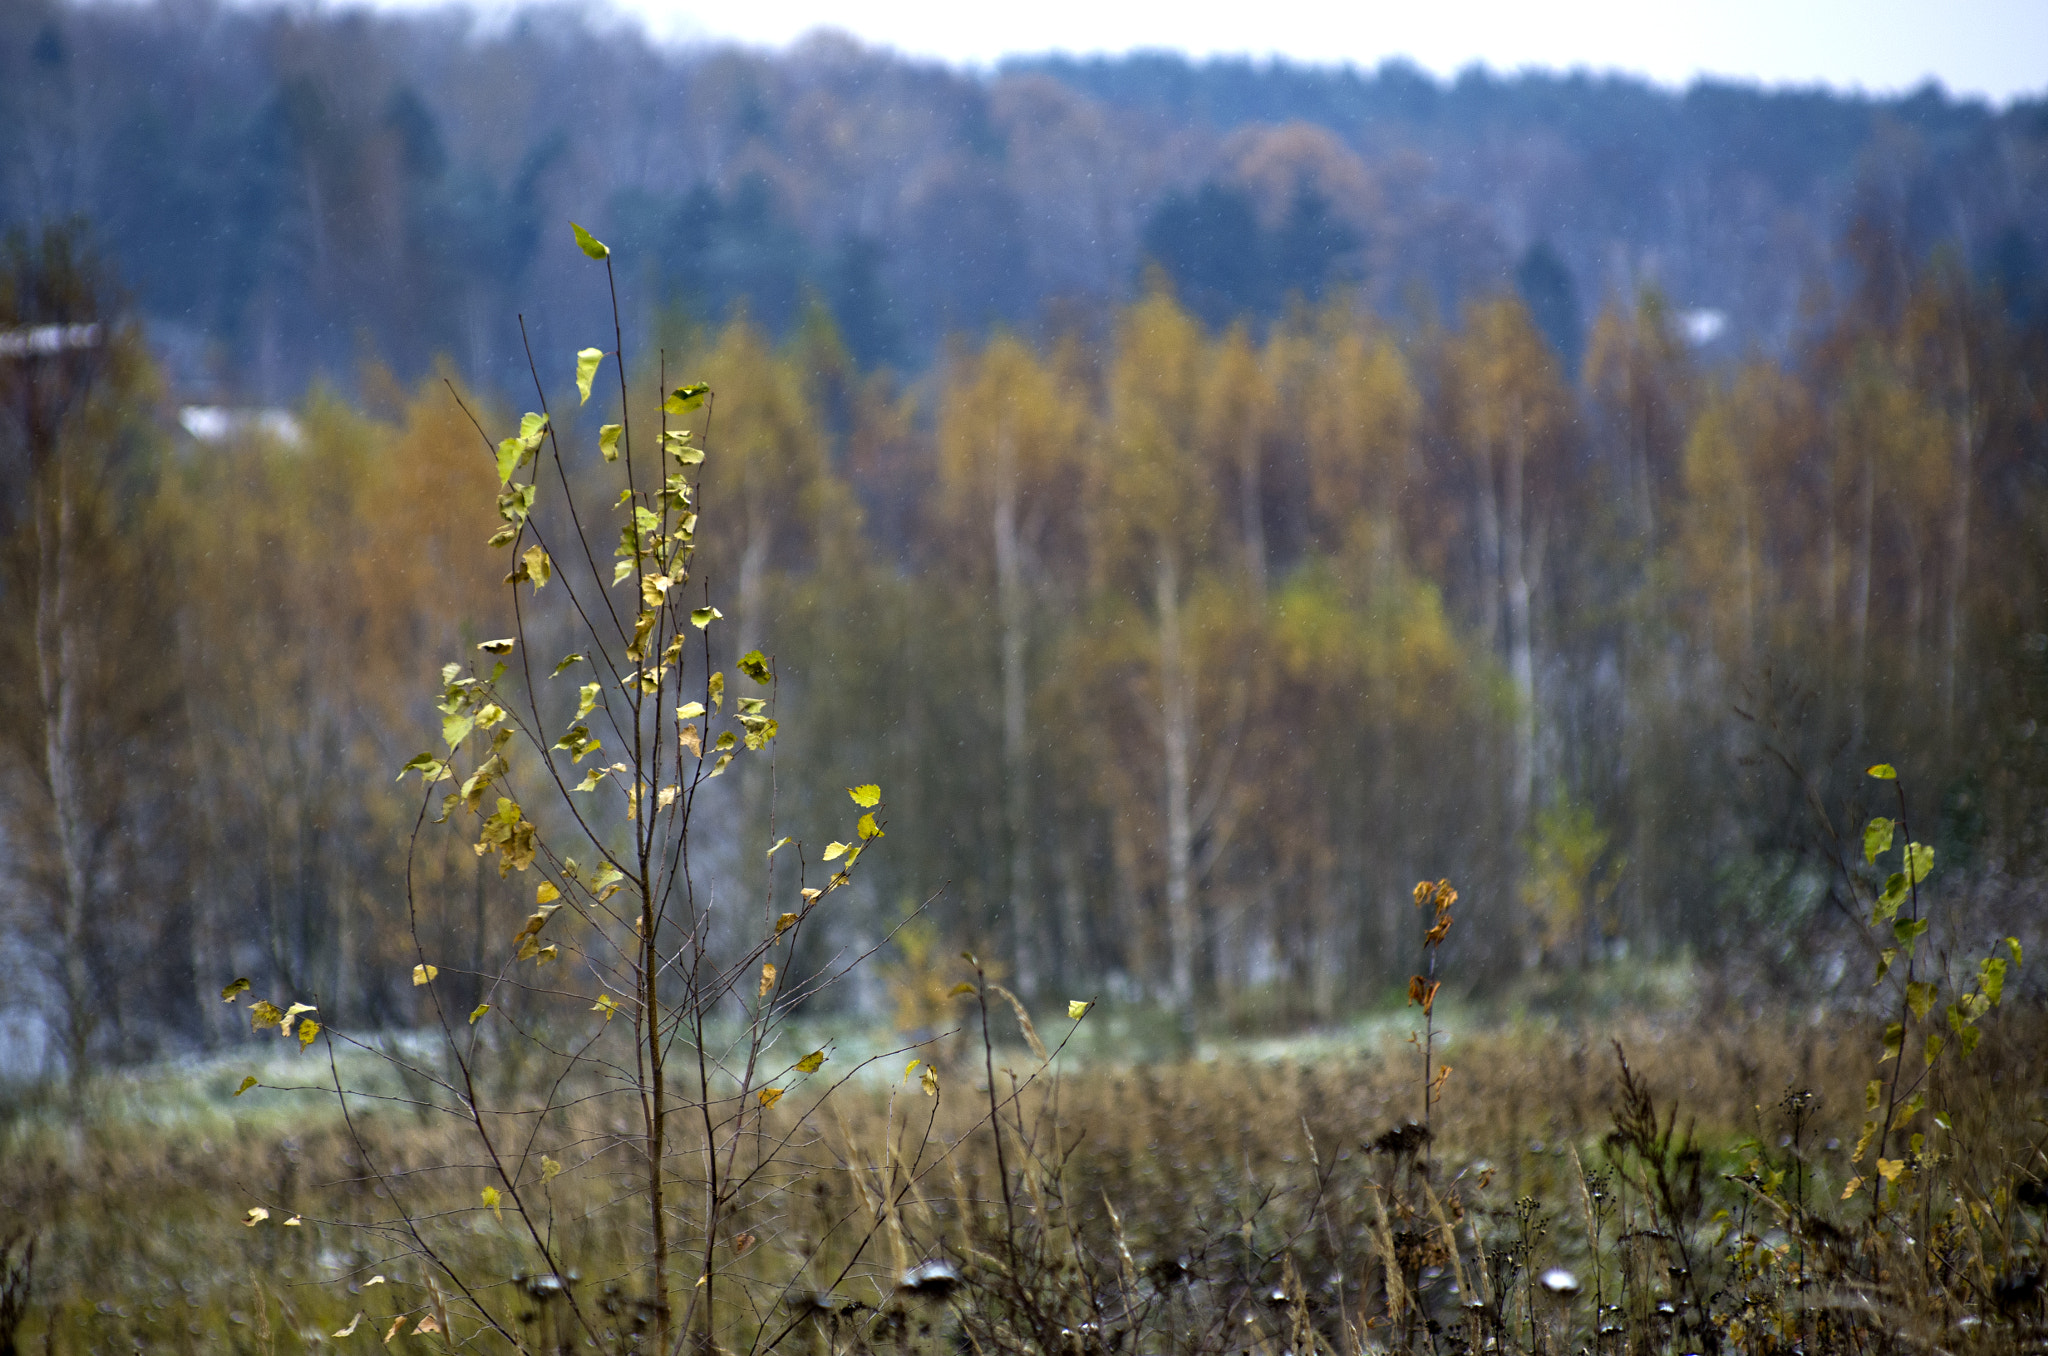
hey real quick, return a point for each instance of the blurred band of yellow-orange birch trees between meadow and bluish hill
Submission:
(1181, 650)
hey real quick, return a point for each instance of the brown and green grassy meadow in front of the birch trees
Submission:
(1271, 1199)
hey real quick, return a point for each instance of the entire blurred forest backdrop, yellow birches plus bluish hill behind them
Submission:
(1205, 499)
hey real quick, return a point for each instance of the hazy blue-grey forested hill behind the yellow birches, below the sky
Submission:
(294, 192)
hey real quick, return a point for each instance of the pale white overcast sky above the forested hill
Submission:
(1992, 48)
